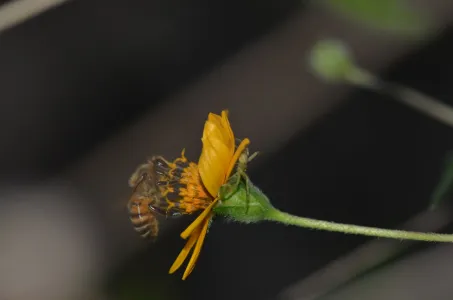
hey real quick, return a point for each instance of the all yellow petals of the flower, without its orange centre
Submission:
(217, 160)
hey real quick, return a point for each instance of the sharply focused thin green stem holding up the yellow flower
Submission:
(285, 218)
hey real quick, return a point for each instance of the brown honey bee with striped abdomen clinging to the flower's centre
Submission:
(150, 183)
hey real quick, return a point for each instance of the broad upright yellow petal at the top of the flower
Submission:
(218, 149)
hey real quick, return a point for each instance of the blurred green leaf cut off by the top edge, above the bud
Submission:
(390, 15)
